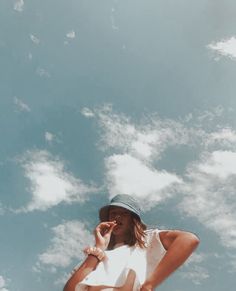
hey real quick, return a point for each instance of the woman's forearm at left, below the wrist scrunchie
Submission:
(86, 267)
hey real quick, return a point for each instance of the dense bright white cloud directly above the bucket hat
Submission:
(126, 174)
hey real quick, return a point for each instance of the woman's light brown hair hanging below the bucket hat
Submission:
(136, 236)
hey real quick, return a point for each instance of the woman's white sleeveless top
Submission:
(114, 270)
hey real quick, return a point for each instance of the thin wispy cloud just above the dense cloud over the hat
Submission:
(146, 140)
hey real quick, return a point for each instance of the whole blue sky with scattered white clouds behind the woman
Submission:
(106, 97)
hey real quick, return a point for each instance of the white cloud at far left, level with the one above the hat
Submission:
(50, 183)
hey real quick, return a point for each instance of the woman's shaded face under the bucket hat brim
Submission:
(123, 218)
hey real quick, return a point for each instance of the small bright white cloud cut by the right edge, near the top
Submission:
(226, 47)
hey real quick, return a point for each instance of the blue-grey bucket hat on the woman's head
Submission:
(122, 200)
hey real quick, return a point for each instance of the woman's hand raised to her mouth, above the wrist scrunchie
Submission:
(103, 234)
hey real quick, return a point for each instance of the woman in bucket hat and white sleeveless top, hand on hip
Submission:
(126, 256)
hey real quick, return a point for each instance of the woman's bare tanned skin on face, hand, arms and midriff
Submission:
(179, 245)
